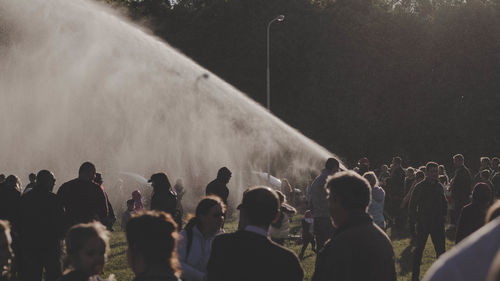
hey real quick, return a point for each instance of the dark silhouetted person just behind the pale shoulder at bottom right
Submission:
(473, 215)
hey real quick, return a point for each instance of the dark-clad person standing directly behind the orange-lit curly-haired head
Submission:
(163, 198)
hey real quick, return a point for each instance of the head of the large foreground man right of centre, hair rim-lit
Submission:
(348, 193)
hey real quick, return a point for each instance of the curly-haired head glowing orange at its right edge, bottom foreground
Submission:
(152, 240)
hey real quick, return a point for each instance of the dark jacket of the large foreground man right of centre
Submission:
(358, 251)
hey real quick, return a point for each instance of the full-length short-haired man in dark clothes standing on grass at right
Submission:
(428, 209)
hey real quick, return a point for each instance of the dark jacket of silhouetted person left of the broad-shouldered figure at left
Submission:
(40, 220)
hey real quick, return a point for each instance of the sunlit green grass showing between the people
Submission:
(117, 260)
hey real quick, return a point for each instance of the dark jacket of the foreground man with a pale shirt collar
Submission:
(247, 256)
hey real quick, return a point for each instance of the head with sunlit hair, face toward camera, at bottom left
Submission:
(87, 245)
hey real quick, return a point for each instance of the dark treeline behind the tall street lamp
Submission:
(362, 78)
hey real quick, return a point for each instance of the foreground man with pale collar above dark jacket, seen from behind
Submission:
(248, 254)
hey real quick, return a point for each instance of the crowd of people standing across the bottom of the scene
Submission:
(65, 235)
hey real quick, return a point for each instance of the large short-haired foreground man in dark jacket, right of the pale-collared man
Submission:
(358, 250)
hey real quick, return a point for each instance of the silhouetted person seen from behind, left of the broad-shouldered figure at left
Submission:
(40, 231)
